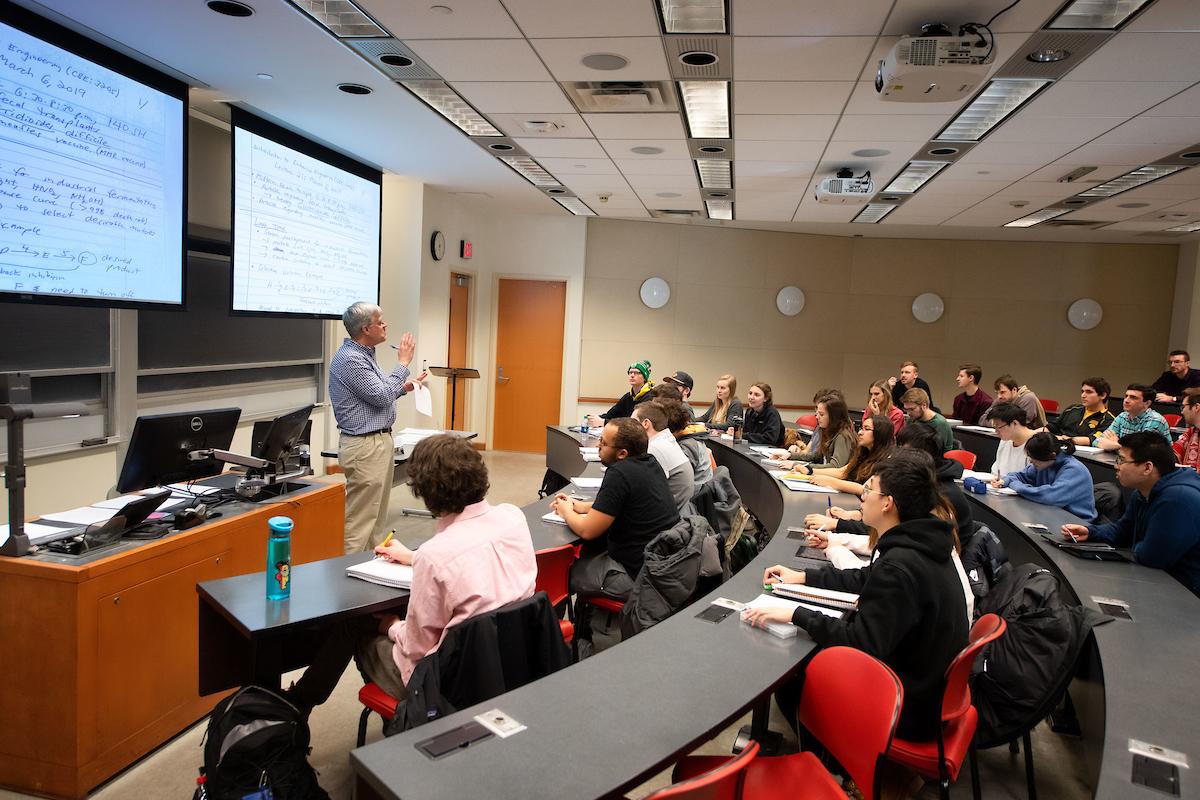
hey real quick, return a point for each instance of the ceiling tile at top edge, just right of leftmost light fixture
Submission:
(413, 20)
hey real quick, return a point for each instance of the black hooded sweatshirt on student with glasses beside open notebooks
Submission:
(911, 616)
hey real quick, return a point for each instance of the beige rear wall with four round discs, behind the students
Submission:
(1006, 310)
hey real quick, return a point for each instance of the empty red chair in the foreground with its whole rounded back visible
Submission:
(851, 703)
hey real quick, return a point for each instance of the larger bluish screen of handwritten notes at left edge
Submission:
(92, 179)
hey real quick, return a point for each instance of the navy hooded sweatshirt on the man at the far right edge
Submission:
(1163, 531)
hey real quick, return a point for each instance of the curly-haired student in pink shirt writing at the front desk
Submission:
(481, 560)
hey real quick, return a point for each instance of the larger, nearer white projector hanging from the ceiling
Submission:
(934, 69)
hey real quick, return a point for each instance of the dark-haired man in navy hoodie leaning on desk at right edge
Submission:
(1162, 522)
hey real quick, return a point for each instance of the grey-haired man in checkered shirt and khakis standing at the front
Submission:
(364, 400)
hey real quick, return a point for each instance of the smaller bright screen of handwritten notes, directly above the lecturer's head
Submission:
(307, 234)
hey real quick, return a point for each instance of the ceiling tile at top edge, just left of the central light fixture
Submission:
(556, 20)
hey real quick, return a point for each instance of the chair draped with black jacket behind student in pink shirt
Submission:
(479, 659)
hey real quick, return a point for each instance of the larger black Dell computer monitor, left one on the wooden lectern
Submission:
(160, 446)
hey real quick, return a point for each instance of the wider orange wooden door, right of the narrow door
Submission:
(529, 376)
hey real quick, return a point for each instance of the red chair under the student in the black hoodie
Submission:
(943, 759)
